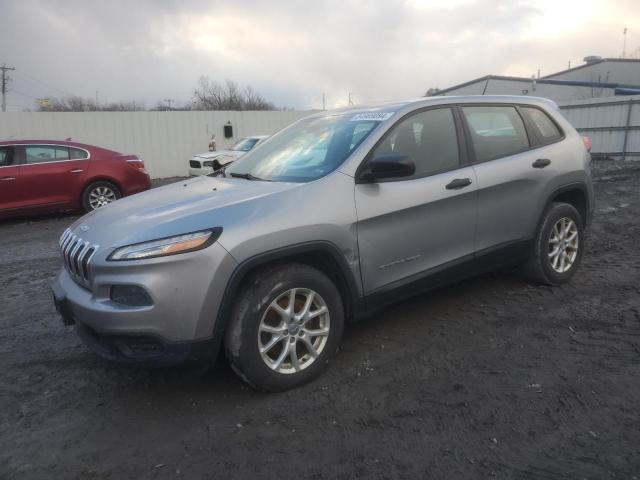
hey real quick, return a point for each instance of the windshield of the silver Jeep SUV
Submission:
(305, 151)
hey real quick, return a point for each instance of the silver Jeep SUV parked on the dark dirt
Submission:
(332, 218)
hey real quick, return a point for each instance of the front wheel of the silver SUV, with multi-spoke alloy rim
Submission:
(286, 325)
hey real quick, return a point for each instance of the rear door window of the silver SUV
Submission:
(496, 131)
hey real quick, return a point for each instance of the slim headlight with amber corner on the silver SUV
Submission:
(188, 242)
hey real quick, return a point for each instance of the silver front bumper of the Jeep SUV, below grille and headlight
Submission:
(186, 291)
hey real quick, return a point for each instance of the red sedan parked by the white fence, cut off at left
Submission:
(38, 176)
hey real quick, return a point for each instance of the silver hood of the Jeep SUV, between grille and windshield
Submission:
(182, 207)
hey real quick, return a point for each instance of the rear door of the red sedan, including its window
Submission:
(50, 176)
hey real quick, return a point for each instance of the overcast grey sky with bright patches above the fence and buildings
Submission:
(293, 51)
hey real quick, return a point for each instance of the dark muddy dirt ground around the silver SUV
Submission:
(492, 377)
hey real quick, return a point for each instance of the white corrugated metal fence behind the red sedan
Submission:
(164, 140)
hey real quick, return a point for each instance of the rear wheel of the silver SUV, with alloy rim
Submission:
(558, 246)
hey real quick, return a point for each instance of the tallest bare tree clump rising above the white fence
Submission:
(210, 95)
